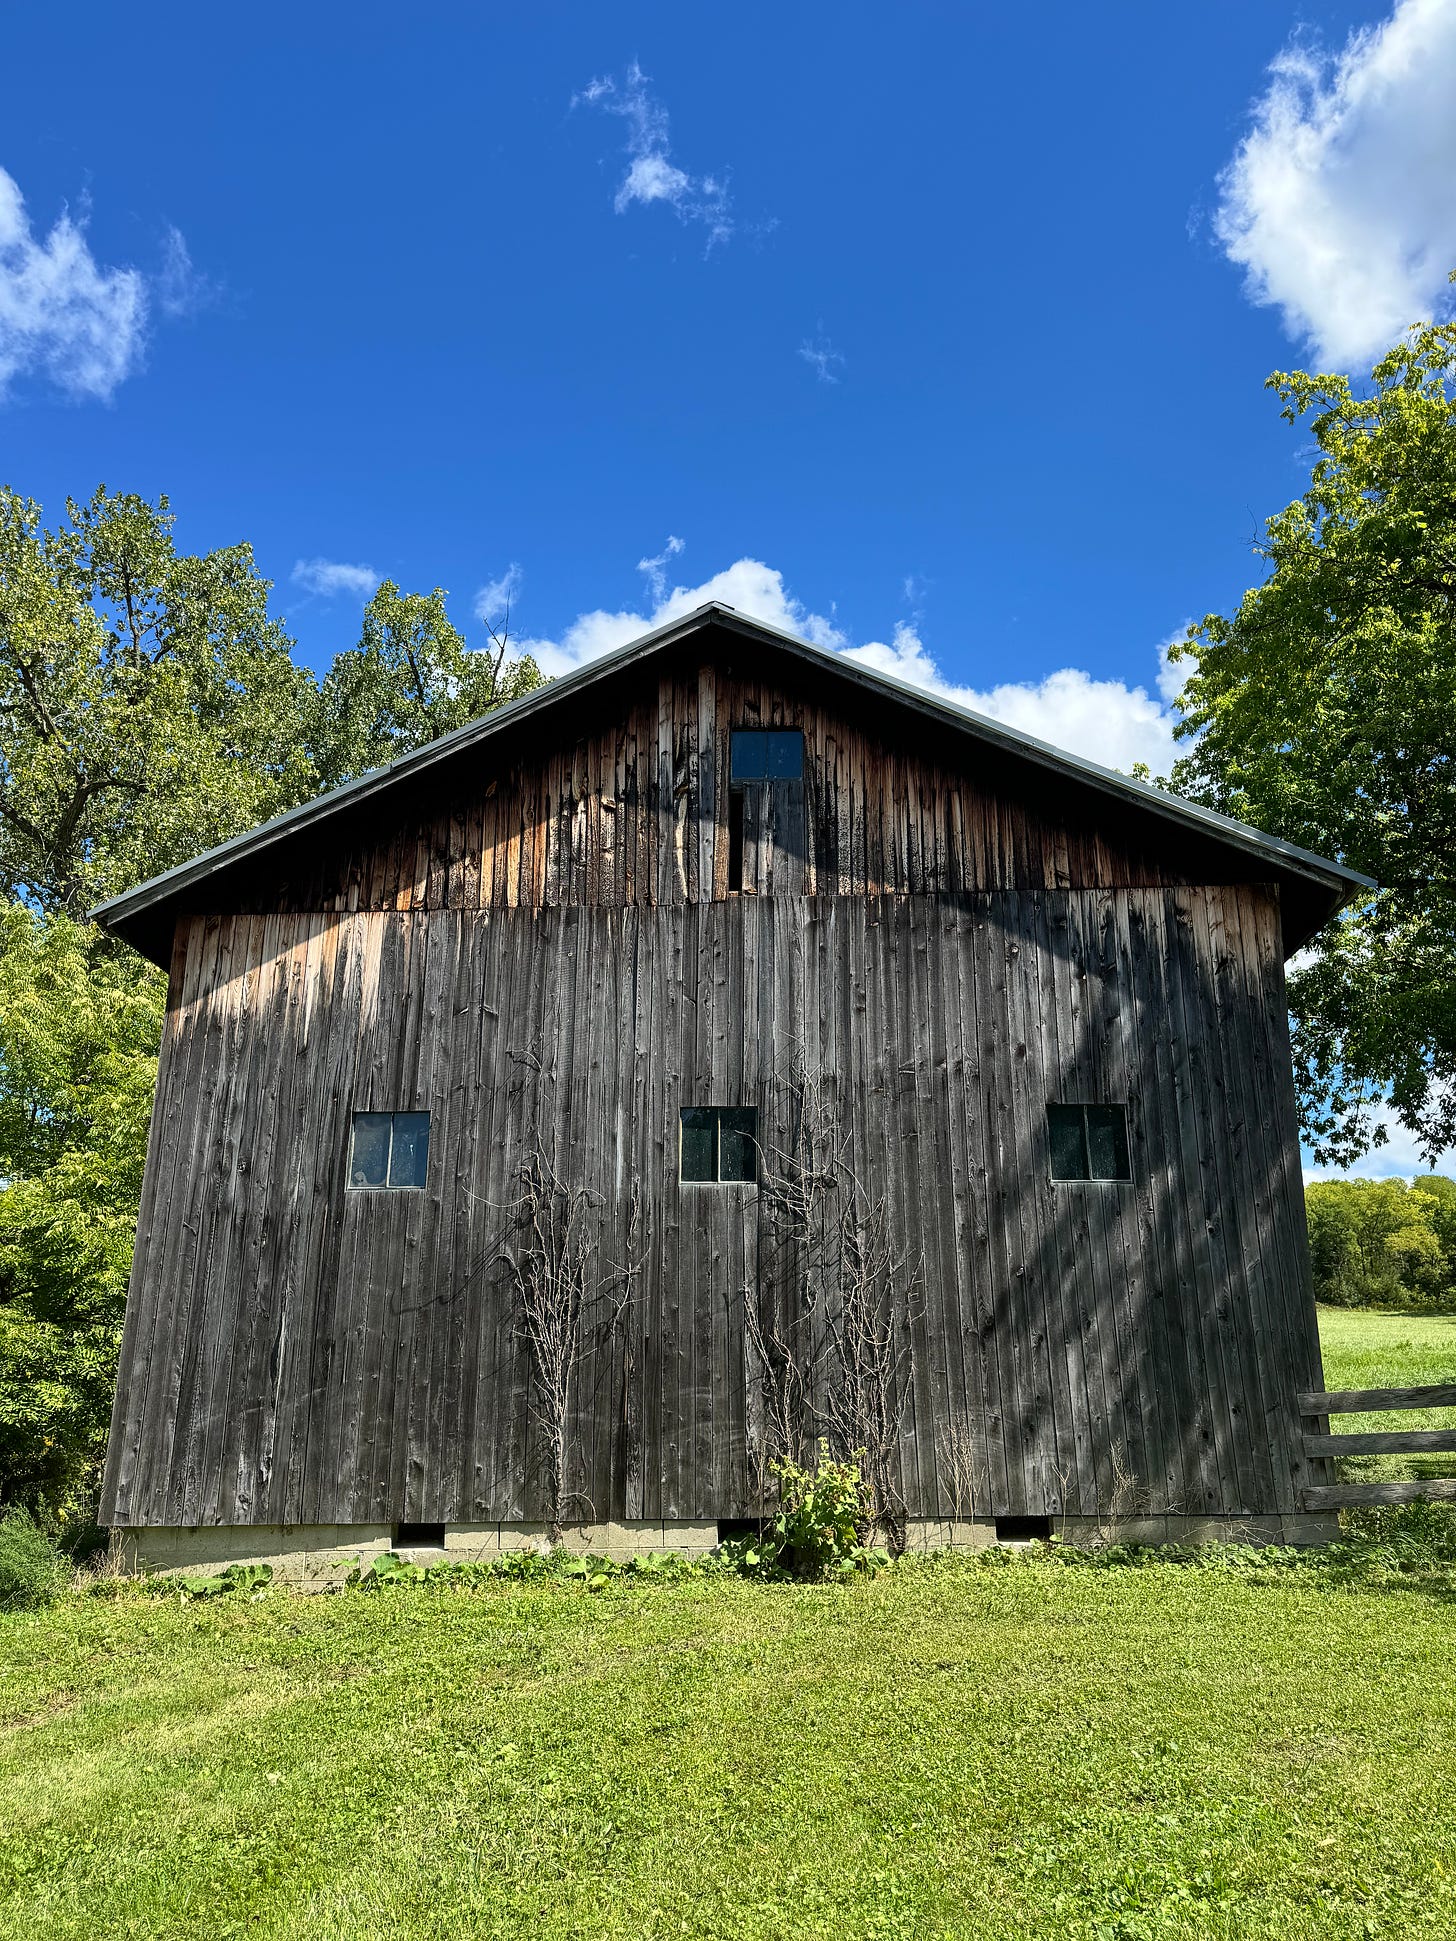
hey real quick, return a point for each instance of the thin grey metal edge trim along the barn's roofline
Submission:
(1010, 740)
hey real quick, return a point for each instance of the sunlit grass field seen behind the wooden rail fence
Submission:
(1366, 1350)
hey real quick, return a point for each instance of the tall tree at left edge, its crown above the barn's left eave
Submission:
(149, 702)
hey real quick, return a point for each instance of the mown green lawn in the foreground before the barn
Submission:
(950, 1750)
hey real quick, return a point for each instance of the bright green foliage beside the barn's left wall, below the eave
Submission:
(81, 1020)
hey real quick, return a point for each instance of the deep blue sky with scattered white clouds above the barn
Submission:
(933, 331)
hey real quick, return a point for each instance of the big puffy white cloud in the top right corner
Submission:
(1342, 199)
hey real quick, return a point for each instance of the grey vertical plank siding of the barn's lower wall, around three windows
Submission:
(302, 1354)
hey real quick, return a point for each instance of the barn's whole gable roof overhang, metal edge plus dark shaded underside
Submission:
(145, 915)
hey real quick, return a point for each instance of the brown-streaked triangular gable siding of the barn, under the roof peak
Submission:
(632, 810)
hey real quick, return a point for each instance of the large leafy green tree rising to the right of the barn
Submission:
(1325, 711)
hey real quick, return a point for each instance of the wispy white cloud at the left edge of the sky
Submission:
(61, 313)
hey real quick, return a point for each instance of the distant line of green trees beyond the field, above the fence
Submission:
(1385, 1243)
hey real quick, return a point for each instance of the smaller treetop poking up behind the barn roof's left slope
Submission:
(411, 680)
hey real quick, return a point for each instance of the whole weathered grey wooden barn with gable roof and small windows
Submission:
(719, 1051)
